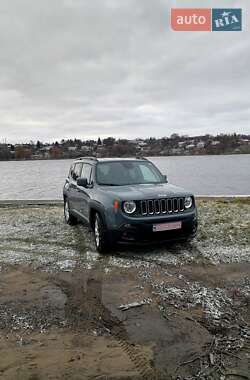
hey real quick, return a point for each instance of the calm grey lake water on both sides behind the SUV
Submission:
(203, 175)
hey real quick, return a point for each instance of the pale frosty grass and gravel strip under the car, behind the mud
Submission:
(38, 236)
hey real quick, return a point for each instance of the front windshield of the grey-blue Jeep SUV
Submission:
(127, 173)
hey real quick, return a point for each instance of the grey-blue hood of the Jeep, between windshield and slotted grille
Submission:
(145, 191)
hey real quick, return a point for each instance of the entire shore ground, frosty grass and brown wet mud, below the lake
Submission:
(59, 300)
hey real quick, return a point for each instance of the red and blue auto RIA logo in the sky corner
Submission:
(206, 19)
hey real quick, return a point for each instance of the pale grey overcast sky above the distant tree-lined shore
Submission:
(89, 68)
